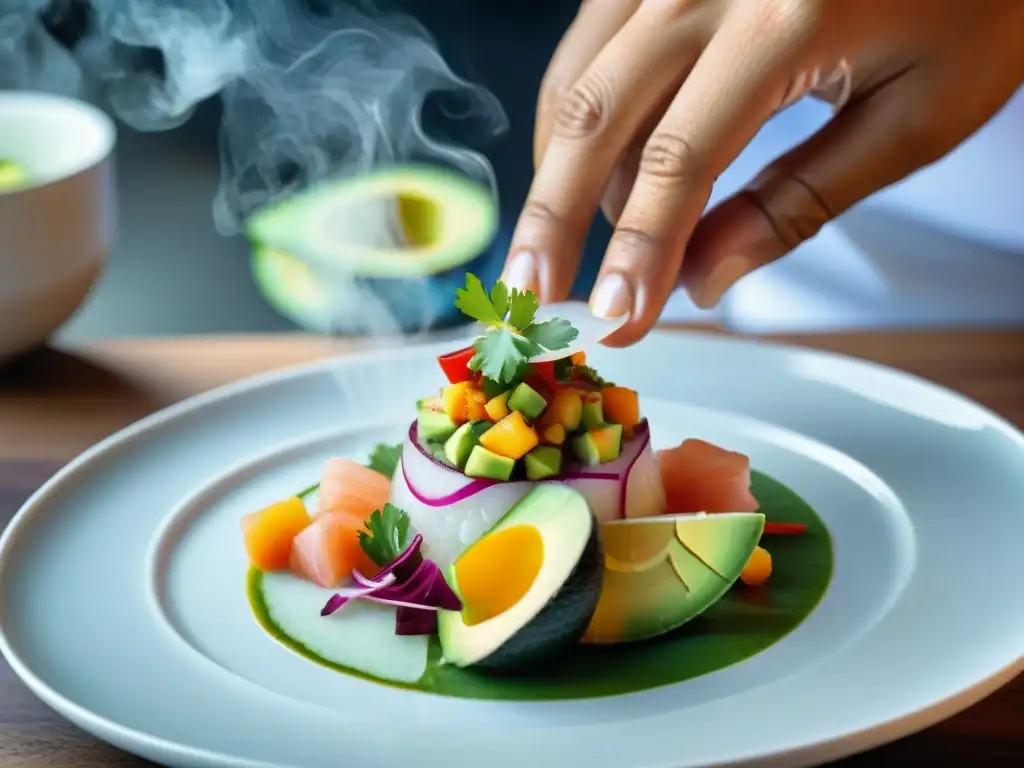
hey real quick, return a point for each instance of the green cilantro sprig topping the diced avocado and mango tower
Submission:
(511, 337)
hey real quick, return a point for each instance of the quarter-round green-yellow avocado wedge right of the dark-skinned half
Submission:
(662, 572)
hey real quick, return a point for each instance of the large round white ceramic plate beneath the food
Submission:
(122, 579)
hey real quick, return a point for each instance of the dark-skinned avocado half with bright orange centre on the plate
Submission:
(530, 586)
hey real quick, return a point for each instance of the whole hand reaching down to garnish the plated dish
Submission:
(648, 102)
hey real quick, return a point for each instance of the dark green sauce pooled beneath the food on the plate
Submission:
(744, 623)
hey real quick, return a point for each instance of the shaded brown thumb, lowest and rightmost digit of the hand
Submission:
(870, 145)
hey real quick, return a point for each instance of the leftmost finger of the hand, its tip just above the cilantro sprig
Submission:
(594, 123)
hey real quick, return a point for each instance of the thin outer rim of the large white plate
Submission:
(804, 753)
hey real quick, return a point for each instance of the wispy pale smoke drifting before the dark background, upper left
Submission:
(309, 93)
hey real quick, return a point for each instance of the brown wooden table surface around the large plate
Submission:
(56, 403)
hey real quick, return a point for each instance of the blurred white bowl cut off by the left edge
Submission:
(56, 233)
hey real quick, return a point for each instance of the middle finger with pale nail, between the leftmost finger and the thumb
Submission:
(738, 83)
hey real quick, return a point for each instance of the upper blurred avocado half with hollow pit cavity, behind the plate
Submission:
(410, 222)
